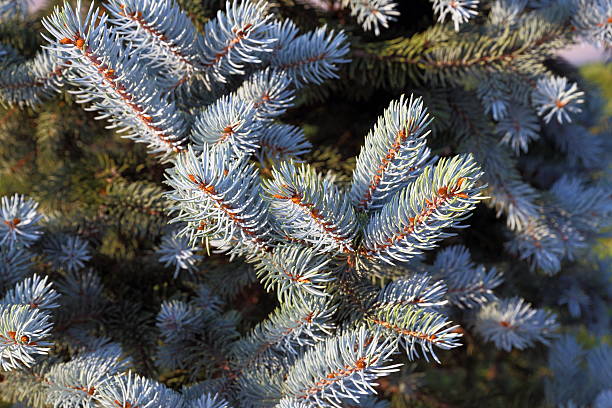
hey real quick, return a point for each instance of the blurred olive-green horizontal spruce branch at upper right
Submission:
(441, 57)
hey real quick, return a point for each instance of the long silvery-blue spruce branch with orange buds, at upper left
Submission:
(114, 82)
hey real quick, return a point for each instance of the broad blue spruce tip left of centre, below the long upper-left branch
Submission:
(219, 200)
